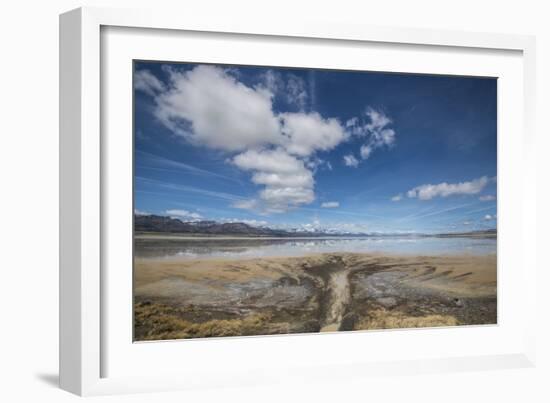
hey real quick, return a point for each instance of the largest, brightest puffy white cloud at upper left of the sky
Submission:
(209, 107)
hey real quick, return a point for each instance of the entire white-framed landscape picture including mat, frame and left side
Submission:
(236, 199)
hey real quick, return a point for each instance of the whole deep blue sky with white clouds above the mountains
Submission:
(302, 148)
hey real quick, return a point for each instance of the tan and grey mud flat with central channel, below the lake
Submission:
(325, 292)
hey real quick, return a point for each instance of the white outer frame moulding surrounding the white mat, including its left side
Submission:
(80, 183)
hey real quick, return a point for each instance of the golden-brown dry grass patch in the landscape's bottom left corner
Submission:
(161, 322)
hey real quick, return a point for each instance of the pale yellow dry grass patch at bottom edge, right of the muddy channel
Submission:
(384, 319)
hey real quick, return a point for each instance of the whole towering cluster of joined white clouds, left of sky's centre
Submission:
(210, 107)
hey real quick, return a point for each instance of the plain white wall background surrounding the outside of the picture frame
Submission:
(29, 201)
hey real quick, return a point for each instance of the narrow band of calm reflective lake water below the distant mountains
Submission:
(212, 248)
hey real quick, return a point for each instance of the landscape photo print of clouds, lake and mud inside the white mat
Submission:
(271, 200)
